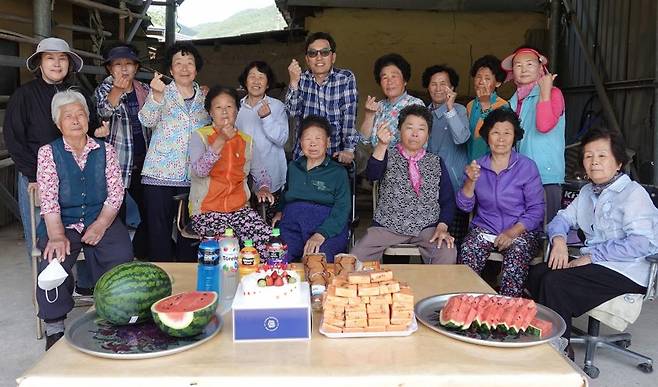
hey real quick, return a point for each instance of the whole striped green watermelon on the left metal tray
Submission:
(125, 293)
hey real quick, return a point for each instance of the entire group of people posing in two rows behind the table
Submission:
(459, 182)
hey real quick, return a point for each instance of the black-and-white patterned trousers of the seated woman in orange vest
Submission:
(245, 222)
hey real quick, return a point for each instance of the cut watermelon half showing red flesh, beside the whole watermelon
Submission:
(184, 314)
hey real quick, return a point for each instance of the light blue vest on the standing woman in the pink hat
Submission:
(545, 149)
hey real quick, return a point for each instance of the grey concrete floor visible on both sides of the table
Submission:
(20, 349)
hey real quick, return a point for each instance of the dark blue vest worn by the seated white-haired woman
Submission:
(81, 192)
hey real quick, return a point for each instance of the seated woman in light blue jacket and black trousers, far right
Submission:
(620, 224)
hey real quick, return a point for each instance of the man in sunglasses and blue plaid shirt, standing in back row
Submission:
(325, 91)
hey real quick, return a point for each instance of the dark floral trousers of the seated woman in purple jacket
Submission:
(516, 259)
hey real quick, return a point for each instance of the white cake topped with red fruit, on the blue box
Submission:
(282, 284)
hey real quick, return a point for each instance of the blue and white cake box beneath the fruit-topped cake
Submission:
(264, 320)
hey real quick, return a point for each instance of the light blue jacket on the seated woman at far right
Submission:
(620, 226)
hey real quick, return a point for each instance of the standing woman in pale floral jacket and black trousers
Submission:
(173, 112)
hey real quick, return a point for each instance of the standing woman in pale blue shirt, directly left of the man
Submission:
(265, 120)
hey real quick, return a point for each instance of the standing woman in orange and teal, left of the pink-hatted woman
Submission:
(487, 77)
